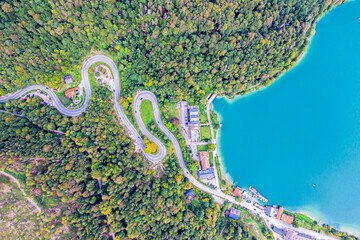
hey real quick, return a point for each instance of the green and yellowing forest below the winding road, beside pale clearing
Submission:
(86, 175)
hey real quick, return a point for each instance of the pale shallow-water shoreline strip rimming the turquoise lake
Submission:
(319, 216)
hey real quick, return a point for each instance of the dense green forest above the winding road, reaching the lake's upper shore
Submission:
(179, 49)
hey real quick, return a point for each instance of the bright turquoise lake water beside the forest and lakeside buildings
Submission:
(298, 141)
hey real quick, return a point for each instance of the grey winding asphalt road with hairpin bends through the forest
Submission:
(141, 96)
